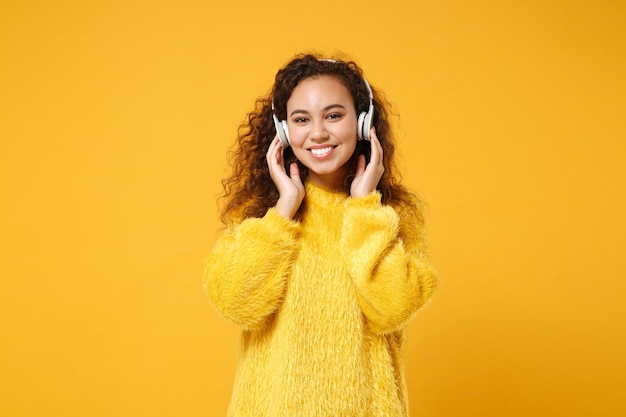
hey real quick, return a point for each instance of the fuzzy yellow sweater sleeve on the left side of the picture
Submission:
(246, 272)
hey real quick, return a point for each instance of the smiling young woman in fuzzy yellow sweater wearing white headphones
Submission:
(323, 261)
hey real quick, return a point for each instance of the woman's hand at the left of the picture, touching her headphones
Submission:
(290, 187)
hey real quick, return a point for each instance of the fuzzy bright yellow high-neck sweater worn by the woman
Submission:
(322, 305)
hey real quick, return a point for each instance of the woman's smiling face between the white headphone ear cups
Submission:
(322, 128)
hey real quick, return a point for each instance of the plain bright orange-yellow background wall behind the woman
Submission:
(115, 118)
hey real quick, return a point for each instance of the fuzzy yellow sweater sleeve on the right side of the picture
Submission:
(385, 255)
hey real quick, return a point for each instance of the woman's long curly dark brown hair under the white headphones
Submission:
(249, 191)
